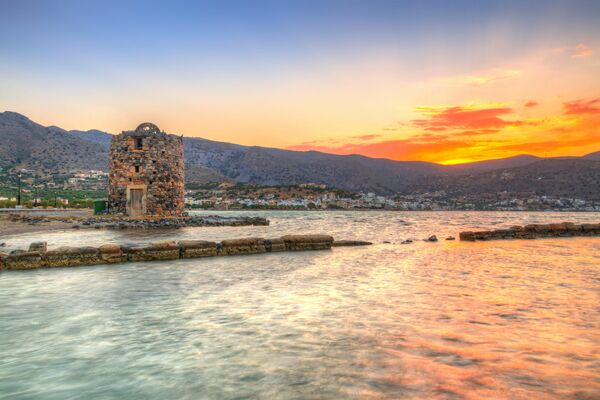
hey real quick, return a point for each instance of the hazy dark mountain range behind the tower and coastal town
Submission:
(27, 144)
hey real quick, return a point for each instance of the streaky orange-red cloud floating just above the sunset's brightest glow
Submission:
(463, 117)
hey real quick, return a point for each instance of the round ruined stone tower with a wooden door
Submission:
(146, 173)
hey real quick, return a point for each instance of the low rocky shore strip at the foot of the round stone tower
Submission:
(118, 222)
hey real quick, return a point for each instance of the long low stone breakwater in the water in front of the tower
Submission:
(38, 256)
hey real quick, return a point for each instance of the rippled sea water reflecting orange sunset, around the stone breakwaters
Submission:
(447, 320)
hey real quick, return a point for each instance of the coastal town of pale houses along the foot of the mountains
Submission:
(82, 188)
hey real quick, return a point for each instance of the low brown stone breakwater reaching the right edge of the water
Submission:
(534, 231)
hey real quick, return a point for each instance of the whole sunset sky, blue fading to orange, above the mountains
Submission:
(448, 83)
